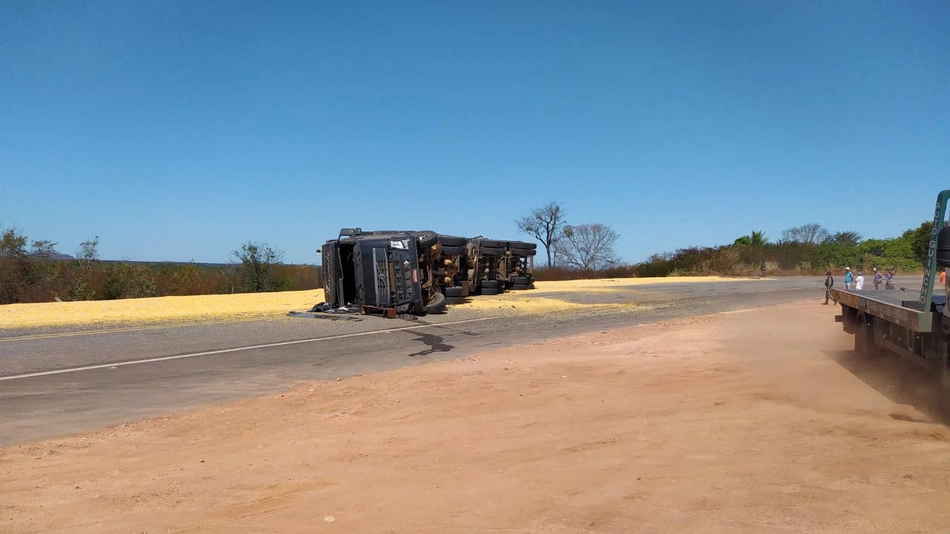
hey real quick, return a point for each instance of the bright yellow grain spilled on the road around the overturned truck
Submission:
(209, 308)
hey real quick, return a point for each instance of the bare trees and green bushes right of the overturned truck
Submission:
(587, 250)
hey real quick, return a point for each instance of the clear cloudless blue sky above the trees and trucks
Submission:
(178, 130)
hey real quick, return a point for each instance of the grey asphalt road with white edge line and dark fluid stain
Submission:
(66, 381)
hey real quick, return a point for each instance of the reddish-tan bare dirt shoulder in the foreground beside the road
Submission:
(739, 422)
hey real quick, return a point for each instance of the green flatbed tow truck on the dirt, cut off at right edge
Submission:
(916, 329)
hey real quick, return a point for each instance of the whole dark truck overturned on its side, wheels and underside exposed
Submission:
(394, 272)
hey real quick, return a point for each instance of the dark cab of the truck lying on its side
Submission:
(386, 272)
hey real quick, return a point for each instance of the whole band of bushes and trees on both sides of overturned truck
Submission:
(33, 271)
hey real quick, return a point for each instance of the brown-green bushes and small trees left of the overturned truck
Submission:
(33, 271)
